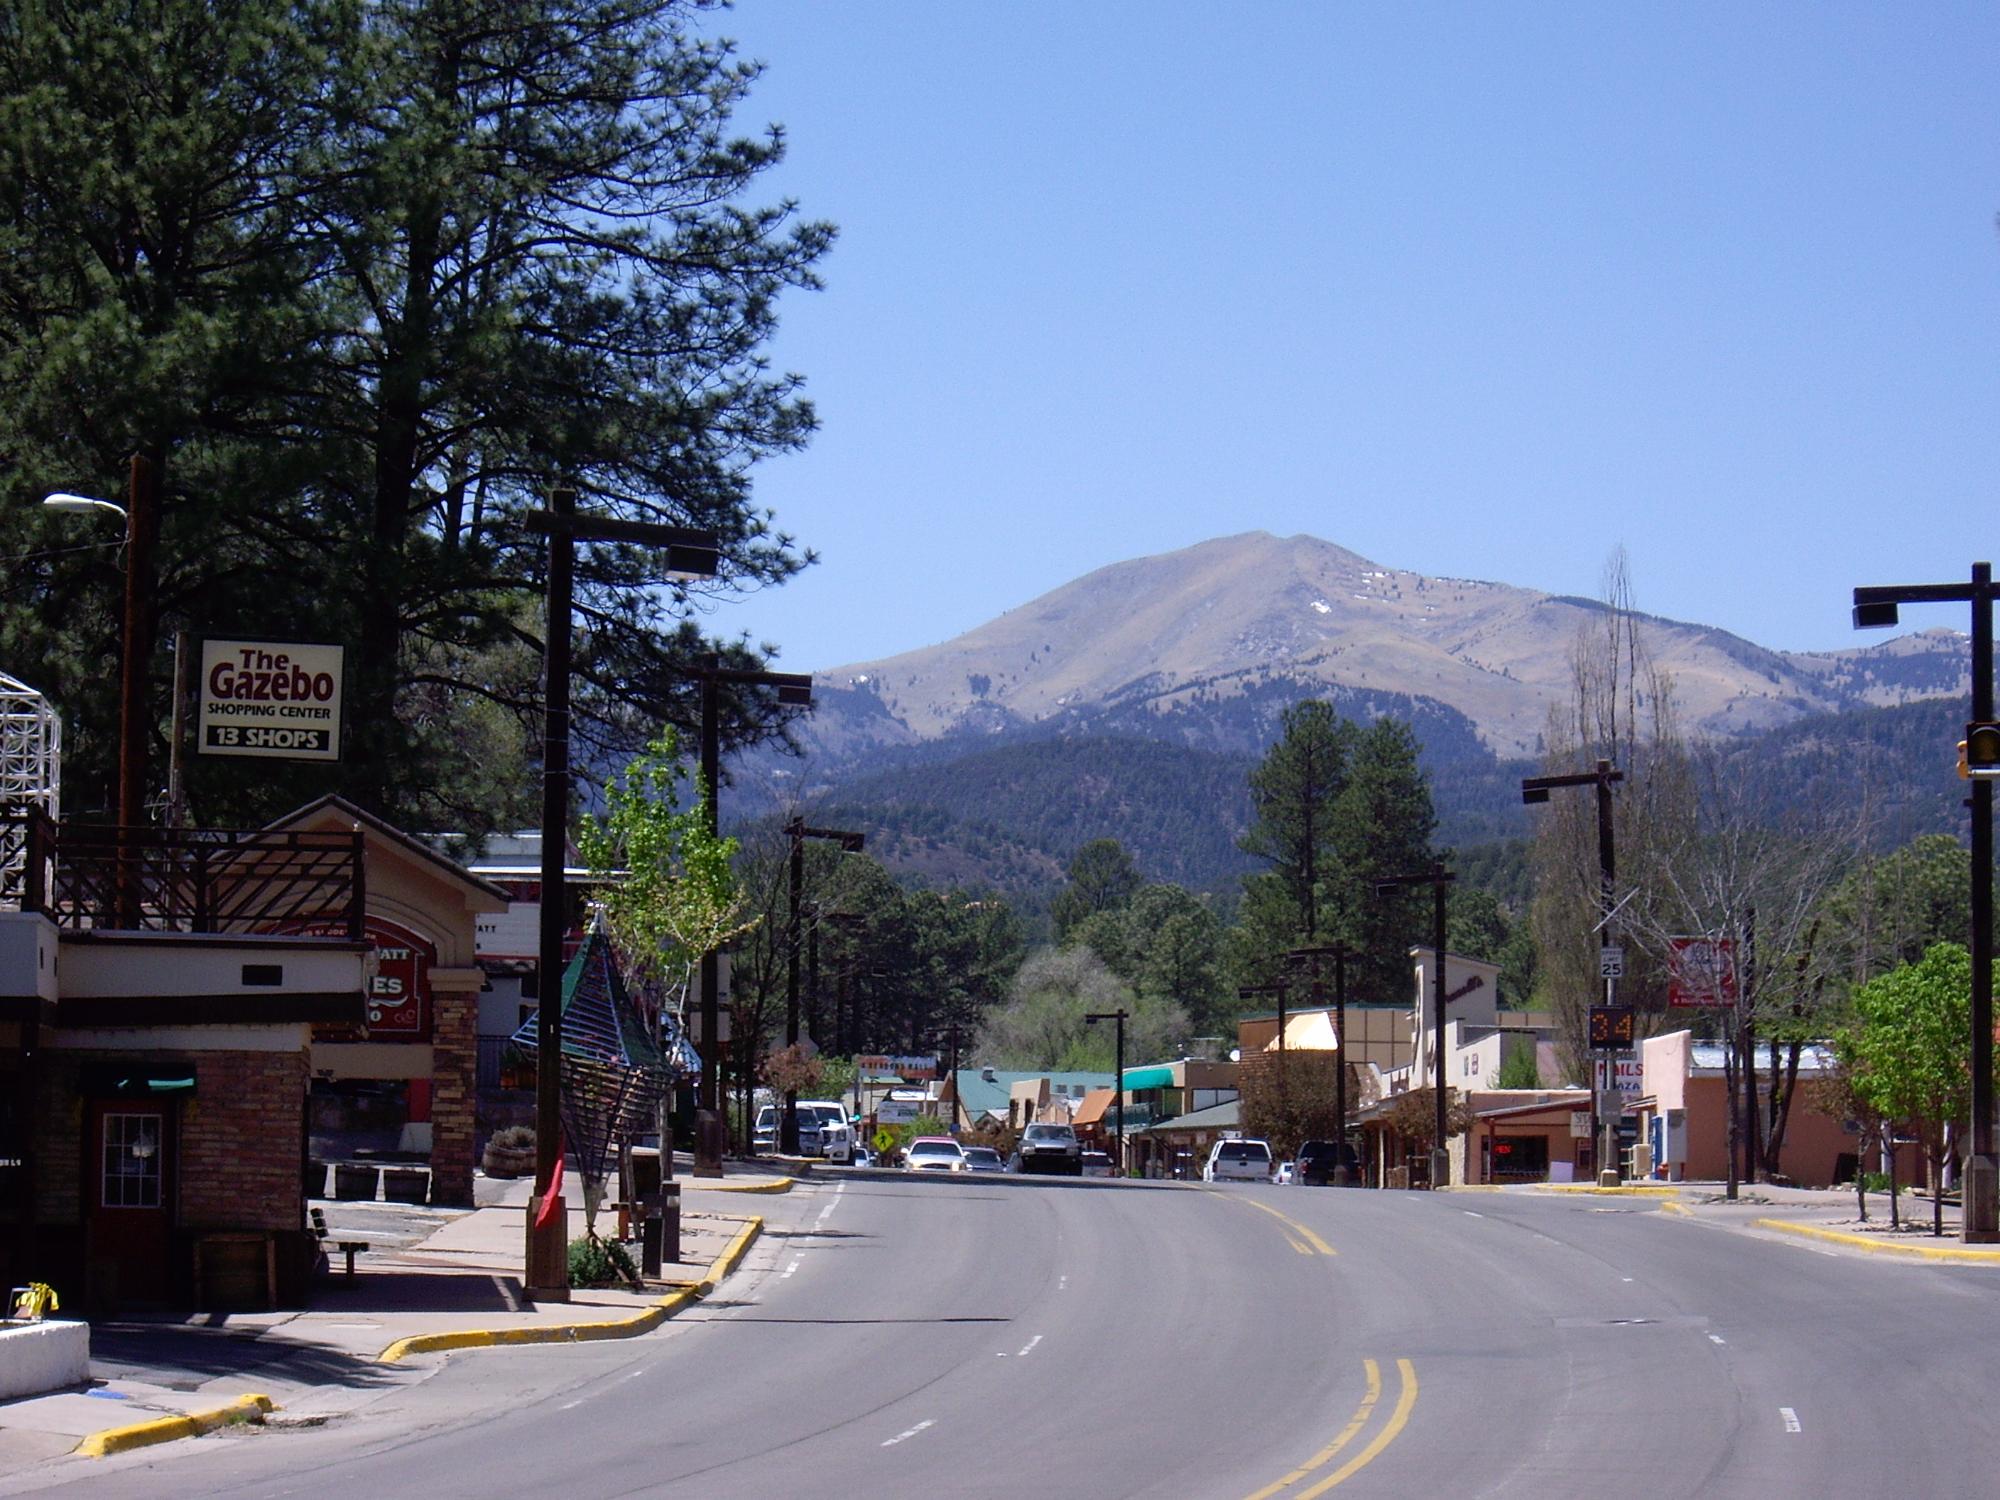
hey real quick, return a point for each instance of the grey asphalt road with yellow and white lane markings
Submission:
(1001, 1337)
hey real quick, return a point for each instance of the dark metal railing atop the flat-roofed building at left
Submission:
(183, 879)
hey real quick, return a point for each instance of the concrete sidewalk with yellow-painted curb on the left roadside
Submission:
(453, 1283)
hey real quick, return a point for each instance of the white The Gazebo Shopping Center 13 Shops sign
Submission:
(279, 701)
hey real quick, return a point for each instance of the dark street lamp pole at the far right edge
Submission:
(1877, 607)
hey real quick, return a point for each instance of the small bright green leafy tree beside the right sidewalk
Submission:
(1907, 1047)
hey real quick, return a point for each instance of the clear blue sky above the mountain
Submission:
(1477, 291)
